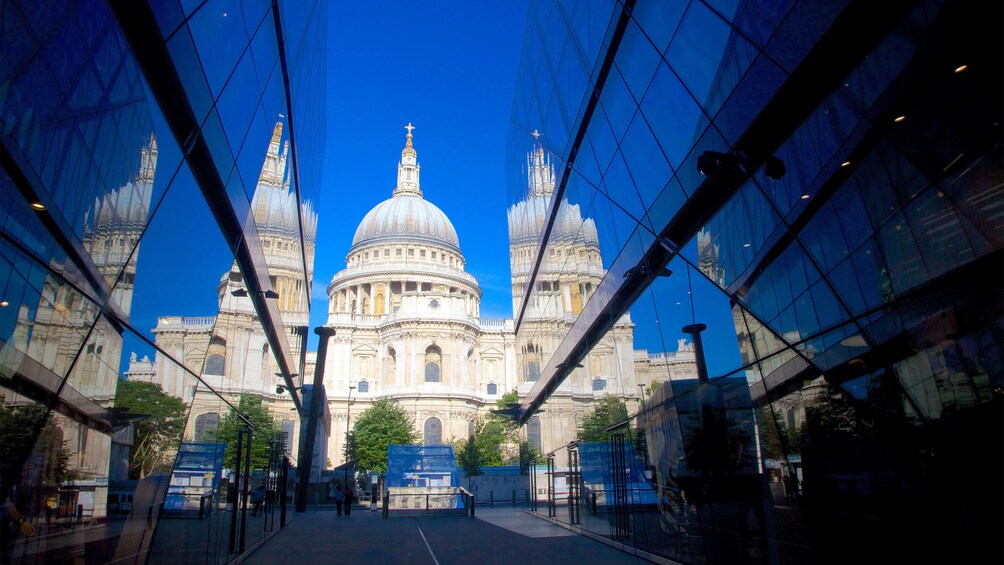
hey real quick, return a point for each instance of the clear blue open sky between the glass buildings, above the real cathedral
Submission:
(449, 68)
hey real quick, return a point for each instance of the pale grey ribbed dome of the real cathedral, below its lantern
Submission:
(406, 218)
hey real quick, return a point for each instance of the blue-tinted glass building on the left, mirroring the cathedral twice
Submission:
(148, 149)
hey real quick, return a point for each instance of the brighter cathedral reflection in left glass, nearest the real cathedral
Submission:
(230, 351)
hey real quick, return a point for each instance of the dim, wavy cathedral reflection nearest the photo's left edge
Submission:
(55, 334)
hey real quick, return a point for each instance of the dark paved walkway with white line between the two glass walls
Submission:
(504, 536)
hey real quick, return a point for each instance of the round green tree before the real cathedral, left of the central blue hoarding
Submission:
(384, 424)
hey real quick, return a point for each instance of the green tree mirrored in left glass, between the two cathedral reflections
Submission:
(159, 433)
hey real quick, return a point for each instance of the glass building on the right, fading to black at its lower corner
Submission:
(807, 198)
